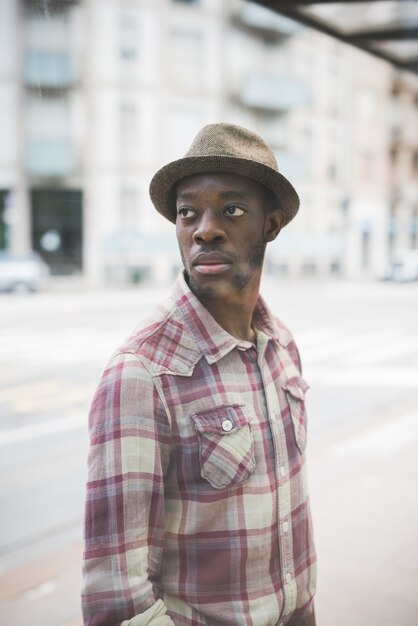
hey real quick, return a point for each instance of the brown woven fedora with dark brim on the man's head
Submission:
(224, 148)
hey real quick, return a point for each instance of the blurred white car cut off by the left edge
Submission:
(22, 272)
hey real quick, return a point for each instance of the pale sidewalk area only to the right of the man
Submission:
(365, 507)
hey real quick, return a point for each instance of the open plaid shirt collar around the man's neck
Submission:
(213, 341)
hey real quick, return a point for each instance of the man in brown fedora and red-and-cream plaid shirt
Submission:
(197, 510)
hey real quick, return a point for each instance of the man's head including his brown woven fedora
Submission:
(227, 200)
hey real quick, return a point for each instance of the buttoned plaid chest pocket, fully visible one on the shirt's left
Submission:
(226, 449)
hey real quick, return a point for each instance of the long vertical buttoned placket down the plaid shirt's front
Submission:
(282, 474)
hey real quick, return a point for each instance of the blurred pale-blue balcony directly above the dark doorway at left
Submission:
(50, 158)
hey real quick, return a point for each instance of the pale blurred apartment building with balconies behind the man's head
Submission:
(95, 95)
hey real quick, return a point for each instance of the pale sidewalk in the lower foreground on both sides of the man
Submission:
(365, 512)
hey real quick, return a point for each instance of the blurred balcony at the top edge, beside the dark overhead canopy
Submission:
(265, 22)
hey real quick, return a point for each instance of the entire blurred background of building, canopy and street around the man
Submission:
(96, 95)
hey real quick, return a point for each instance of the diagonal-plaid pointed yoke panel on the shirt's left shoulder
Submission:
(162, 342)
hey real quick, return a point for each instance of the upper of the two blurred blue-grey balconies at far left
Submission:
(53, 70)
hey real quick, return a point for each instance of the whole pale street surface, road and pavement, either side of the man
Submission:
(359, 348)
